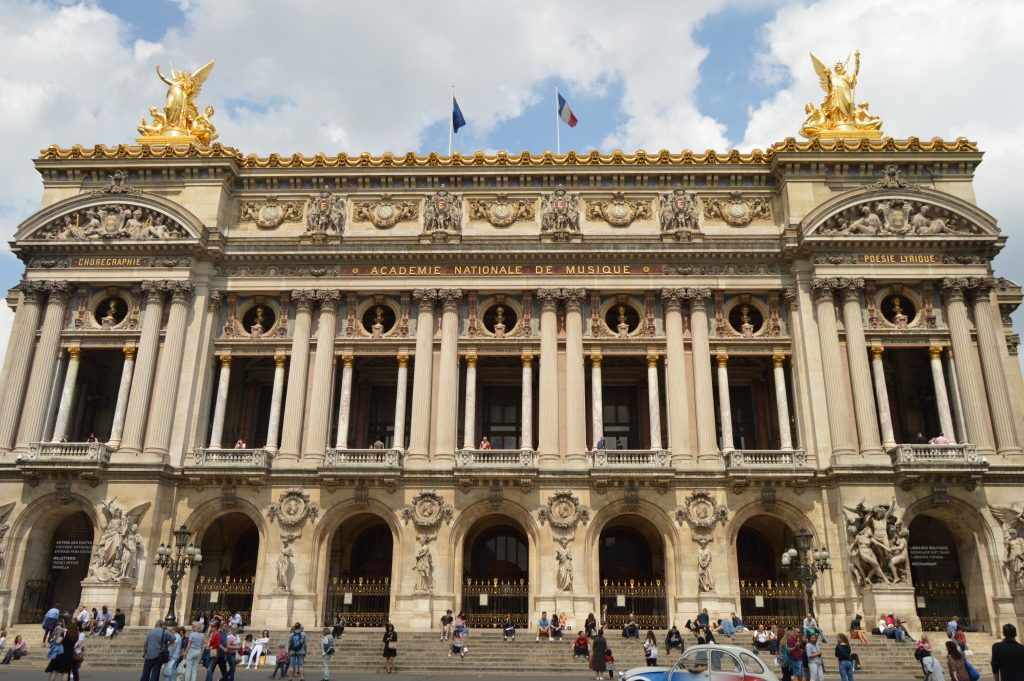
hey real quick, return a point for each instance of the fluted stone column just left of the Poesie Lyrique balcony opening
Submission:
(861, 373)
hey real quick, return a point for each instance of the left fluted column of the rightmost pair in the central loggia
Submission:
(675, 376)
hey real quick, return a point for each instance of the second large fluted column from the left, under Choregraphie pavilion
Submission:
(44, 366)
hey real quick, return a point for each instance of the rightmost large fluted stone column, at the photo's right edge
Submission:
(1000, 407)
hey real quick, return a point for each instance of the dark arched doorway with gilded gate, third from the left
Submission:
(360, 573)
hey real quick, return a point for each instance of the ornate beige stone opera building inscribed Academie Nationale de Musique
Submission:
(678, 362)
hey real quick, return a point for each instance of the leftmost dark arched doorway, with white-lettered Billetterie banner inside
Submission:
(54, 577)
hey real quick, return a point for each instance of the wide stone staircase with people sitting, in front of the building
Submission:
(360, 651)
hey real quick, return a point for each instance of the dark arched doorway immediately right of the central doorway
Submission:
(631, 559)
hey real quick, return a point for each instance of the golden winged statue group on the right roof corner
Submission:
(839, 116)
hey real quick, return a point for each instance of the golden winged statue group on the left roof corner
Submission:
(181, 122)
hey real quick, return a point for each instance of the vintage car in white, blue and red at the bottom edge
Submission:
(707, 663)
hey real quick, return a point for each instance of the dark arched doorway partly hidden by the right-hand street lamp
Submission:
(767, 595)
